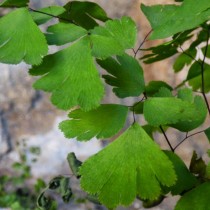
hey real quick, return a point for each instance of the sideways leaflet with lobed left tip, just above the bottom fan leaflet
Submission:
(103, 122)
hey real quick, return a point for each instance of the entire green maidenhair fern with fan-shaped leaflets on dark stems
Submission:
(134, 165)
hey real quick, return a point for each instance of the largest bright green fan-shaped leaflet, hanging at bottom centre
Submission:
(132, 165)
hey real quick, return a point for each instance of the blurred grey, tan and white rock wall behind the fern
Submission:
(26, 114)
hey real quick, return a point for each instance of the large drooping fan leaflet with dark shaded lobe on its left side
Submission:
(71, 76)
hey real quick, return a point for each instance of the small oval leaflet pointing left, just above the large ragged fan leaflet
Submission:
(63, 33)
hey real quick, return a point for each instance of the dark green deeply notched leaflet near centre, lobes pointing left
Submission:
(126, 75)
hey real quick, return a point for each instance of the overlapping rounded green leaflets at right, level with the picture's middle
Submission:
(182, 113)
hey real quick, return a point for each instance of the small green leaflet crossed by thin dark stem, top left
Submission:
(39, 17)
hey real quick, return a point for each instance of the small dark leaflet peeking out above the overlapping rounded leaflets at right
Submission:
(154, 86)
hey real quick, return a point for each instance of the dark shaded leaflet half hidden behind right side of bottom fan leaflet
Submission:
(185, 180)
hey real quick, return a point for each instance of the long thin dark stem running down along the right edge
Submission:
(202, 72)
